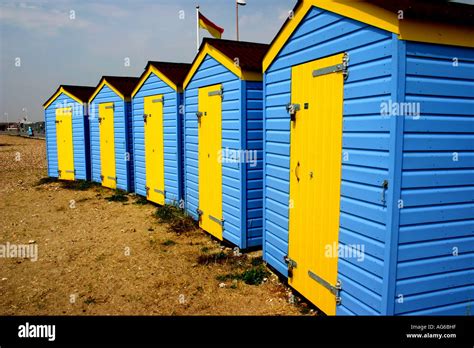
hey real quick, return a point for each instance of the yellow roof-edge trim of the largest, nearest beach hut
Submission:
(378, 17)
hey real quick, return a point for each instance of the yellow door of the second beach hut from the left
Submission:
(107, 145)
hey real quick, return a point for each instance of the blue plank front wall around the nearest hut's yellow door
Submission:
(366, 149)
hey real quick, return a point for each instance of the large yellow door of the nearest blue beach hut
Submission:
(315, 179)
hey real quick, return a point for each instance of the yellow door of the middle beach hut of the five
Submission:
(154, 149)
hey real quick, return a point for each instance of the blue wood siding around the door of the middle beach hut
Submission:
(172, 138)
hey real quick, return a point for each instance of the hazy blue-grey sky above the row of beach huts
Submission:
(55, 48)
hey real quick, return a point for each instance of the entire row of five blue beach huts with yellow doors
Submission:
(345, 149)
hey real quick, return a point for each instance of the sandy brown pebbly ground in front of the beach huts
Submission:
(97, 257)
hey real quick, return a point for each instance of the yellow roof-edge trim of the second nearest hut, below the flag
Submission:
(224, 60)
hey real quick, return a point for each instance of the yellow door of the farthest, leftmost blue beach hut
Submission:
(64, 143)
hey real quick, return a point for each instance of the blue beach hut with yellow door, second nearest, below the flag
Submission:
(223, 140)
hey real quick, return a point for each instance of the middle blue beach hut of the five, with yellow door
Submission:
(158, 115)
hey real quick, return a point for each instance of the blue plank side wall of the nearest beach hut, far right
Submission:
(435, 274)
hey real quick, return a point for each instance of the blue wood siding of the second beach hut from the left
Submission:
(123, 138)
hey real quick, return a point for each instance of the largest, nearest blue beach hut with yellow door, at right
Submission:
(369, 156)
